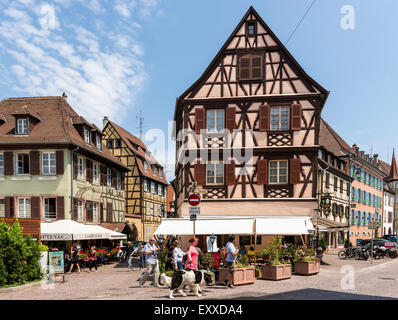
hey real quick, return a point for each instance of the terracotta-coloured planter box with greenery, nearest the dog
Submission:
(243, 272)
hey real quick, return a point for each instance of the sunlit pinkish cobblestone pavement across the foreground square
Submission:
(378, 280)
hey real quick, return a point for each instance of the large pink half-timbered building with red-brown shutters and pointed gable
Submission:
(248, 130)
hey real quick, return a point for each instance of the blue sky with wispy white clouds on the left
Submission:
(116, 57)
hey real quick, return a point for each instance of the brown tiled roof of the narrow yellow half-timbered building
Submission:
(142, 153)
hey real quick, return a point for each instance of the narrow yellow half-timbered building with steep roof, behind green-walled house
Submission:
(145, 183)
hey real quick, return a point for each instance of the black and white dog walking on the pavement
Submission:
(192, 278)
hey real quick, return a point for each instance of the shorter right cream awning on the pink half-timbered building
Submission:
(284, 225)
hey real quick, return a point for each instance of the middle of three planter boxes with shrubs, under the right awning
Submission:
(278, 266)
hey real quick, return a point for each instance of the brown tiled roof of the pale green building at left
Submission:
(55, 127)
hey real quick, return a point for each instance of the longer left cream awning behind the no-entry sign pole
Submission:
(205, 226)
